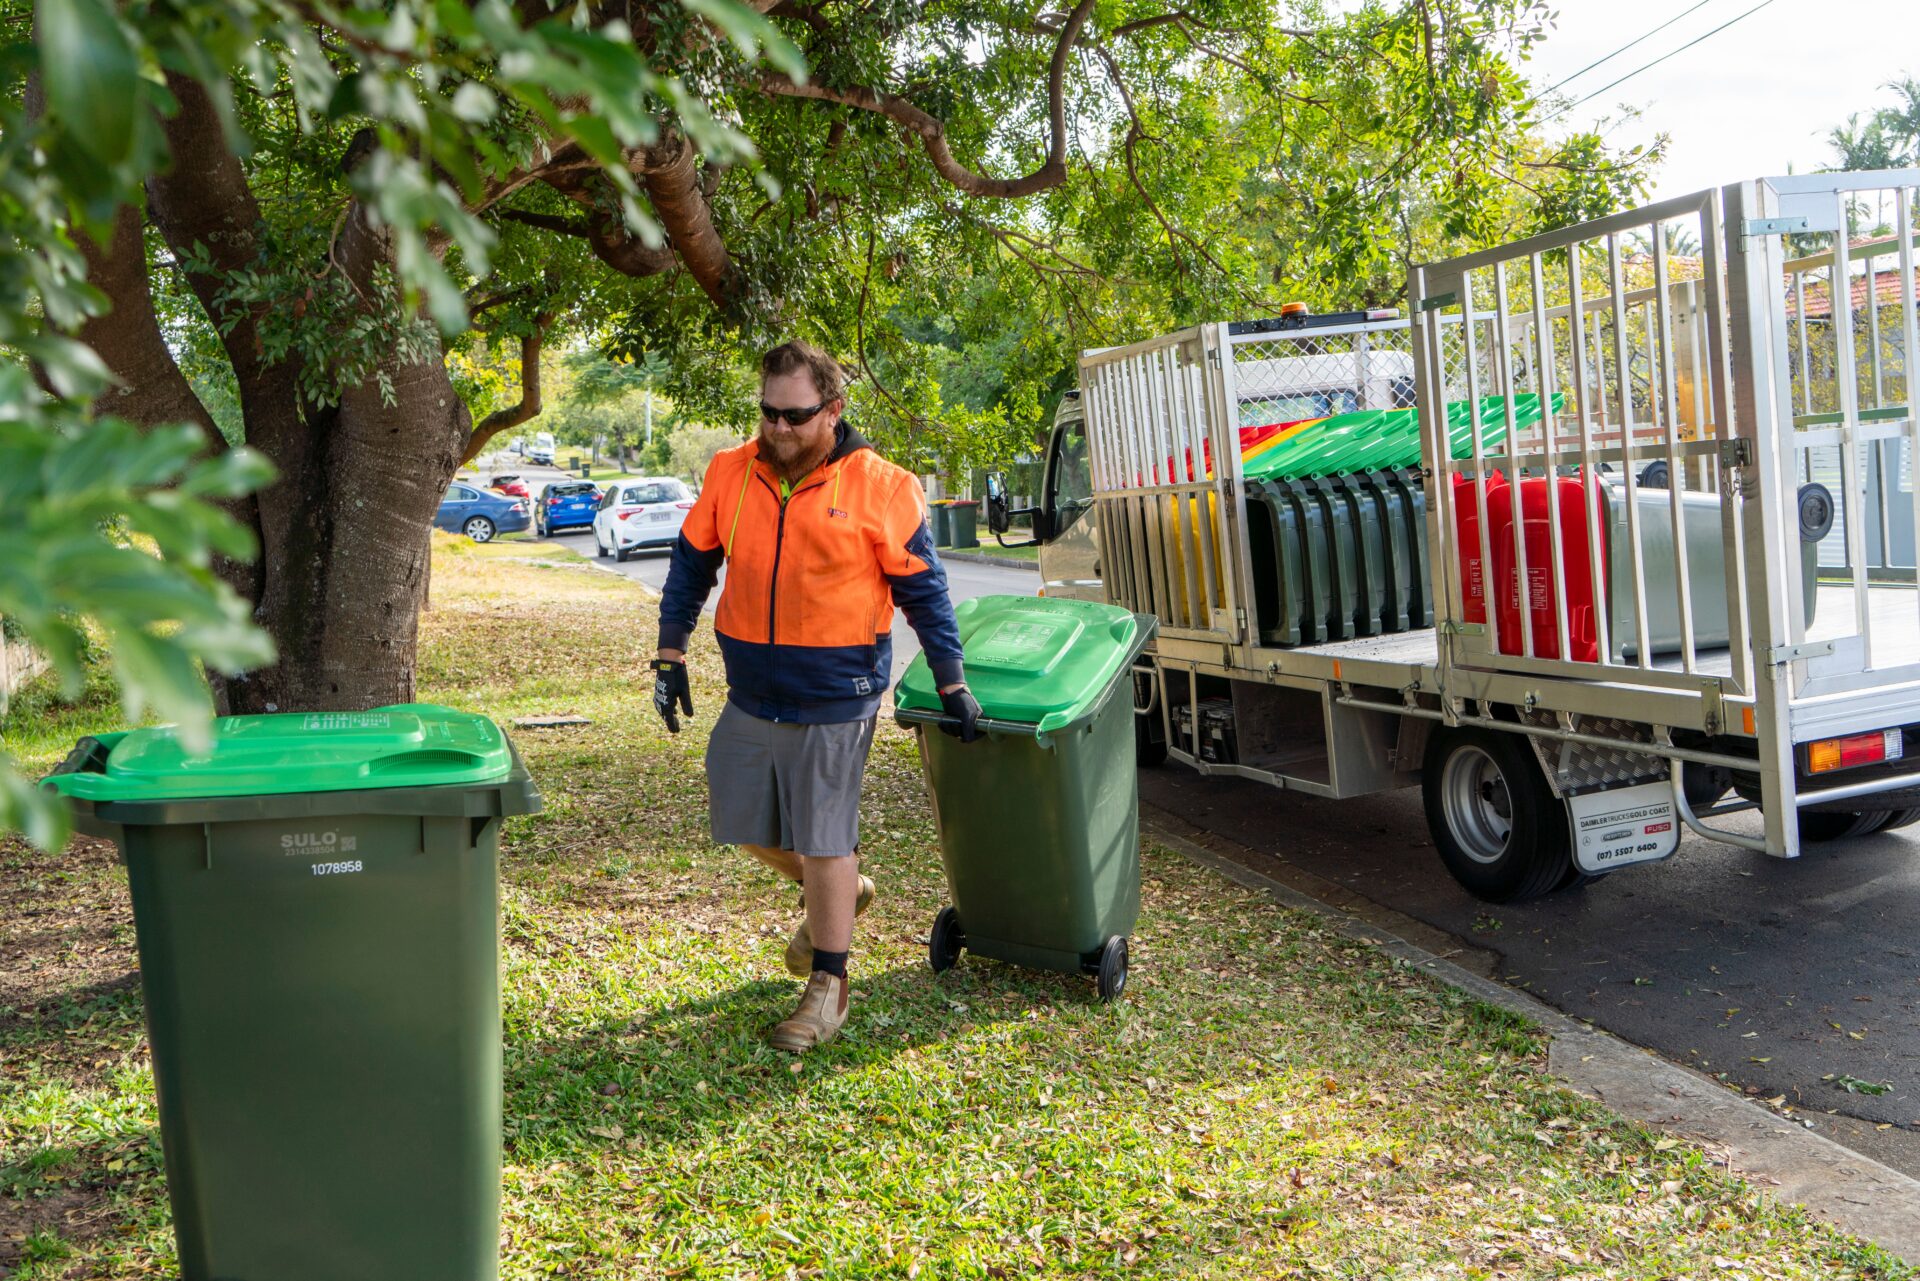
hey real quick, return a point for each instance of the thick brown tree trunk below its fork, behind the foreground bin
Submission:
(345, 548)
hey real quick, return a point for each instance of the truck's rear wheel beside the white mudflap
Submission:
(1495, 821)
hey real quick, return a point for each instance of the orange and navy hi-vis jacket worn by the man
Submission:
(805, 617)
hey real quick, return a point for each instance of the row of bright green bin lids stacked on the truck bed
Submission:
(1387, 439)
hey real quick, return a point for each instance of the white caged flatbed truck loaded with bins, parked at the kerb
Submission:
(1681, 427)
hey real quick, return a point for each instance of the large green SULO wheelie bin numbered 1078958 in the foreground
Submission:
(318, 913)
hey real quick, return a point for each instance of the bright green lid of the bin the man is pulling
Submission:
(1032, 660)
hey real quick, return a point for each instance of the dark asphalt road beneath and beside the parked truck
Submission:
(1783, 977)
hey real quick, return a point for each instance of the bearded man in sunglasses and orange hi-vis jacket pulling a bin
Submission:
(821, 537)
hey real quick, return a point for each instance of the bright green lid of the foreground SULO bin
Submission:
(402, 746)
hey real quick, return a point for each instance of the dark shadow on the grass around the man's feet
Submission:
(698, 1065)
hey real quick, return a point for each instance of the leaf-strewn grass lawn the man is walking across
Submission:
(1268, 1101)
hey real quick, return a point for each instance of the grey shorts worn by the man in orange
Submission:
(786, 786)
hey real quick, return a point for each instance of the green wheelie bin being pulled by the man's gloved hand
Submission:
(1040, 821)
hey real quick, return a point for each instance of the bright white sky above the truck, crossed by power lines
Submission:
(1748, 103)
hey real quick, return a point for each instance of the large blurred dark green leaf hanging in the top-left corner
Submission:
(91, 74)
